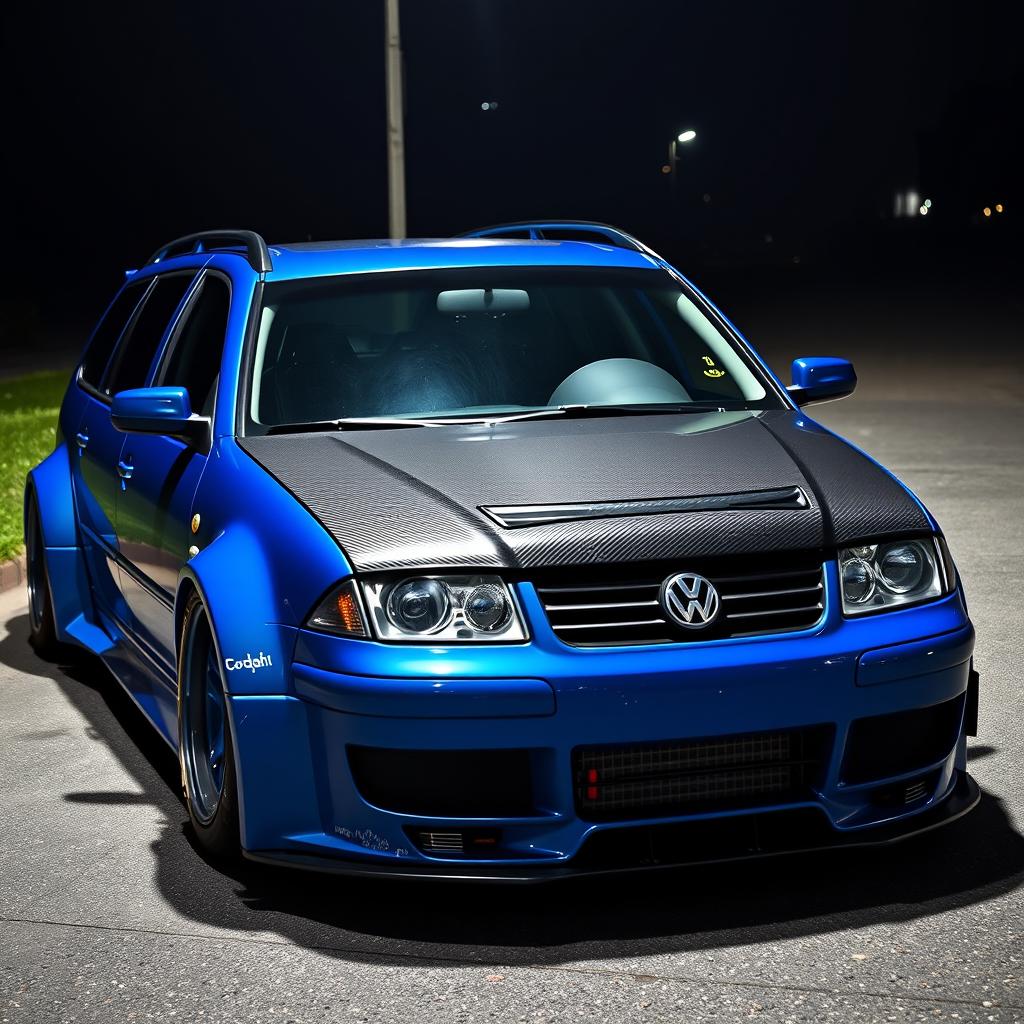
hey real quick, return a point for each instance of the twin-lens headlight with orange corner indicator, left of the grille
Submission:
(463, 609)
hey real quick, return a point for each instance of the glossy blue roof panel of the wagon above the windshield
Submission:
(315, 260)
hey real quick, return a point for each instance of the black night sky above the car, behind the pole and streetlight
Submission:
(131, 124)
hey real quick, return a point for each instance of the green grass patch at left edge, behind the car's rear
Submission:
(29, 408)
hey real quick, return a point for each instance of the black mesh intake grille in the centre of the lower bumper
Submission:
(695, 776)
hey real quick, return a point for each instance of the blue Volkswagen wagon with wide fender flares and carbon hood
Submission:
(502, 557)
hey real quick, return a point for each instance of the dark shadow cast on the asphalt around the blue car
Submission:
(975, 860)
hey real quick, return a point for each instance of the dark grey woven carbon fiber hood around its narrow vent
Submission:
(413, 497)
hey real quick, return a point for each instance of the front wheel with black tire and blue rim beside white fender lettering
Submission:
(205, 746)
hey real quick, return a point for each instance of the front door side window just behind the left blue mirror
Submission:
(193, 360)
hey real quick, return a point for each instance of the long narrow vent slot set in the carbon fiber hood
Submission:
(516, 517)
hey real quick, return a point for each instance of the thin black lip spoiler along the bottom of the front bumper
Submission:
(964, 798)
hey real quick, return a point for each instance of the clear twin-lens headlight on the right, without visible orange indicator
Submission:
(877, 577)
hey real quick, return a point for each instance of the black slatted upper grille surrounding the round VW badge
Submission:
(759, 595)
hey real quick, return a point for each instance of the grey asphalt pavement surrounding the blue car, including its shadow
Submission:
(108, 913)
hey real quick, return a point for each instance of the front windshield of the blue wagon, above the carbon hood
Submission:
(486, 343)
